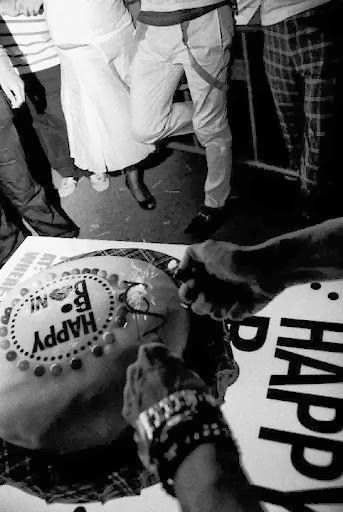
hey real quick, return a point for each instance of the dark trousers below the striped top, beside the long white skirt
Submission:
(43, 110)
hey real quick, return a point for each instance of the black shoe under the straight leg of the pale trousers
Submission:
(206, 222)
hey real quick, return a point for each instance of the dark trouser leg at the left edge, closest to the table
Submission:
(16, 184)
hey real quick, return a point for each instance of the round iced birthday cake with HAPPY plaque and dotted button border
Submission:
(67, 336)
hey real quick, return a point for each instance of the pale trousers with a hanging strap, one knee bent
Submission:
(160, 60)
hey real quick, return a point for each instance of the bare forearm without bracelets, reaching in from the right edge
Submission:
(301, 256)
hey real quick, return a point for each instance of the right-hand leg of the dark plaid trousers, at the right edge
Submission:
(317, 60)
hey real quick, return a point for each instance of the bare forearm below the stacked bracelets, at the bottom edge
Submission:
(213, 481)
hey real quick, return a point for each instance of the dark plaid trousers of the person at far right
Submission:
(301, 56)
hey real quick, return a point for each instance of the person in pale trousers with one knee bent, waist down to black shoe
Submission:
(192, 37)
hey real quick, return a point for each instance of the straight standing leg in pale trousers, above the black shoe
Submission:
(208, 40)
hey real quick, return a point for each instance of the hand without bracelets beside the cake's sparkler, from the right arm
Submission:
(218, 279)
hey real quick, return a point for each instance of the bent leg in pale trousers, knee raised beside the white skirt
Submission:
(154, 80)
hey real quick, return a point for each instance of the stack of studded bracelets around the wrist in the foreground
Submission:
(173, 427)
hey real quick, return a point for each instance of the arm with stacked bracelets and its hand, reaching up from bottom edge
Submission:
(210, 477)
